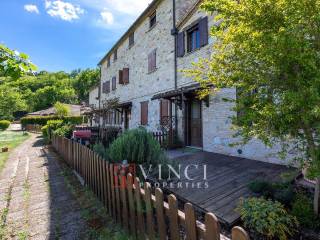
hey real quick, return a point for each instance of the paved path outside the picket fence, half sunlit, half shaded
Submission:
(34, 201)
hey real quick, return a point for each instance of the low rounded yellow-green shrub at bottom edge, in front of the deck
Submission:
(267, 218)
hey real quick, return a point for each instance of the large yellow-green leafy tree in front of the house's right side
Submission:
(270, 51)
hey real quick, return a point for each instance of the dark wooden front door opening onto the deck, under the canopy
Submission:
(195, 123)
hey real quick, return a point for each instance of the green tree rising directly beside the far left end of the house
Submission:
(84, 81)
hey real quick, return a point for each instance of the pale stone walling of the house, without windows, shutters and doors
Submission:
(216, 123)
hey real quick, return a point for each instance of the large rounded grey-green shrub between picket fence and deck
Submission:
(136, 146)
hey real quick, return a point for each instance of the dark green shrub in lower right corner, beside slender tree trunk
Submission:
(302, 209)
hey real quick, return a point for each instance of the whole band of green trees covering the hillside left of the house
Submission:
(29, 91)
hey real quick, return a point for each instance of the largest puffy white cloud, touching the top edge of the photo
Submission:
(63, 10)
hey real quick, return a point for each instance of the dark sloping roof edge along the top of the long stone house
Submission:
(131, 29)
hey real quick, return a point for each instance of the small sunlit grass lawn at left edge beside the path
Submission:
(11, 140)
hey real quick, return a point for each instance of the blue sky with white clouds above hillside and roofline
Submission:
(66, 34)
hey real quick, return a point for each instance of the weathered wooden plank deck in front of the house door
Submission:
(228, 178)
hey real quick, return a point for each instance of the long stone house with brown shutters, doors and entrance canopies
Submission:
(143, 71)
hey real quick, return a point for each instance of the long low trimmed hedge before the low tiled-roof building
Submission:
(43, 120)
